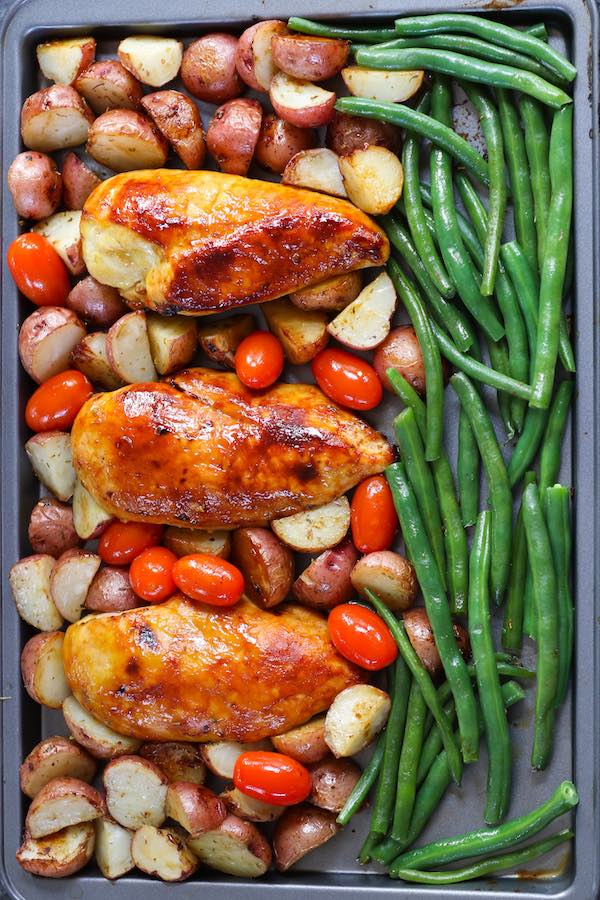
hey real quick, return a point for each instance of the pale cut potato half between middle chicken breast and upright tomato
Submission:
(316, 529)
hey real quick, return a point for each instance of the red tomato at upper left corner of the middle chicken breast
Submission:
(55, 404)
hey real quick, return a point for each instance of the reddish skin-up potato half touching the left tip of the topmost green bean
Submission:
(309, 57)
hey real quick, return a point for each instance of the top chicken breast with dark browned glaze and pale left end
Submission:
(196, 242)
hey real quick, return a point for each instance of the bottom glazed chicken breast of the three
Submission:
(184, 671)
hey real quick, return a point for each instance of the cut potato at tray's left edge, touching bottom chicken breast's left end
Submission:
(43, 672)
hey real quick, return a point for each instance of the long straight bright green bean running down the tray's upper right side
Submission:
(555, 257)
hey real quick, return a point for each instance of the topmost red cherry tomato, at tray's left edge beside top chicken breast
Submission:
(38, 270)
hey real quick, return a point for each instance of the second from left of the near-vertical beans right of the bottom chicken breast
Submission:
(409, 760)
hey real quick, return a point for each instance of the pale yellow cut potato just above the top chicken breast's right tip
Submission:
(374, 179)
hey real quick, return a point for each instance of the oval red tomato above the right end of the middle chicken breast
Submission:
(347, 379)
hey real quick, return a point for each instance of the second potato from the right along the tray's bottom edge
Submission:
(235, 847)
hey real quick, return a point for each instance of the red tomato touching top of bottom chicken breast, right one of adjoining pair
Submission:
(208, 579)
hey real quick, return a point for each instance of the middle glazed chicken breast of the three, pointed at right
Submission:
(202, 450)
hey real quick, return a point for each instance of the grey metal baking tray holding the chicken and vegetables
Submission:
(332, 871)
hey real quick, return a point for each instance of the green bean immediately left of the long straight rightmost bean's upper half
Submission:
(537, 144)
